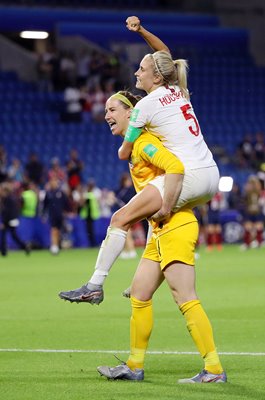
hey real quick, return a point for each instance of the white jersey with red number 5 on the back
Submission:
(169, 115)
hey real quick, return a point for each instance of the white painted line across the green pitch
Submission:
(124, 351)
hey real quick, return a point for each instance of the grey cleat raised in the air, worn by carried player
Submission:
(94, 295)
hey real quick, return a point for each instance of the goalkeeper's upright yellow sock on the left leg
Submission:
(141, 325)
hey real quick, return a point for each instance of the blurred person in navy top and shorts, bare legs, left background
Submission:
(56, 204)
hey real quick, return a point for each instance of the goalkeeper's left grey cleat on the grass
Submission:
(122, 372)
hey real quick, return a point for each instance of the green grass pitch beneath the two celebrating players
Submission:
(35, 325)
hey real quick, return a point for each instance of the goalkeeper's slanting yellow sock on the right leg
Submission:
(201, 332)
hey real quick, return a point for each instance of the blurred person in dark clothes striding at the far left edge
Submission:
(10, 212)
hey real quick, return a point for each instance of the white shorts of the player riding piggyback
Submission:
(199, 186)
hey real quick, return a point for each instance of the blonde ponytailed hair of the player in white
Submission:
(173, 72)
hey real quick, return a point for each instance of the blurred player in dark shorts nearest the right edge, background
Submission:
(253, 216)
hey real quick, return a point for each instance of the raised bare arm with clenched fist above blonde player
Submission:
(133, 24)
